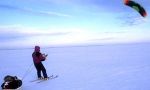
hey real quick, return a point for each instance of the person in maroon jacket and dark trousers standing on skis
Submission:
(38, 57)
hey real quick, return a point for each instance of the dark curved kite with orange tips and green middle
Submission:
(136, 6)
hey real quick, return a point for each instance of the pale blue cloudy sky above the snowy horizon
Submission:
(25, 23)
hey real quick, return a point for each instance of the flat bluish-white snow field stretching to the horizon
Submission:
(95, 67)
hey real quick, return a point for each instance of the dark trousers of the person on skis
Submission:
(39, 67)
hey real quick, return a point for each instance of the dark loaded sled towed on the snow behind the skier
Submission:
(11, 82)
